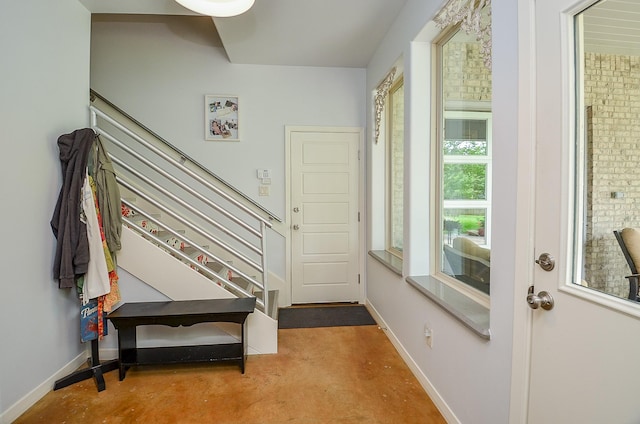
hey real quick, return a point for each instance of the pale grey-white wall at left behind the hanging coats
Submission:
(44, 89)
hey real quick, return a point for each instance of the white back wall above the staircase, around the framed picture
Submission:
(158, 70)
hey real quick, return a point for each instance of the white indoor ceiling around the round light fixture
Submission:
(336, 33)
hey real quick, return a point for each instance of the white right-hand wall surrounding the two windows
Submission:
(469, 376)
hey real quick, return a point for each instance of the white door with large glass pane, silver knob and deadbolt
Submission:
(586, 349)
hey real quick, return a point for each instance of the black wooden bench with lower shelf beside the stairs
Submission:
(129, 316)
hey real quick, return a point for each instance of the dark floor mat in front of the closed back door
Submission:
(324, 316)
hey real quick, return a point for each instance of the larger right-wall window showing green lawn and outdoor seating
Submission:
(463, 185)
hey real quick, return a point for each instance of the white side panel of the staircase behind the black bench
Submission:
(178, 281)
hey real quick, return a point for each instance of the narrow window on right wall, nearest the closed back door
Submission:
(395, 167)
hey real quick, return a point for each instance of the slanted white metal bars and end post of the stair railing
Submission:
(243, 225)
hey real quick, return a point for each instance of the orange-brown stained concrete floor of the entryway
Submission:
(336, 375)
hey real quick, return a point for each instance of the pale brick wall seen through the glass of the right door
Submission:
(612, 97)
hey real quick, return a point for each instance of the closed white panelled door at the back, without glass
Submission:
(324, 216)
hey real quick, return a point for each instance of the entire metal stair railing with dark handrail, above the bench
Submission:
(189, 197)
